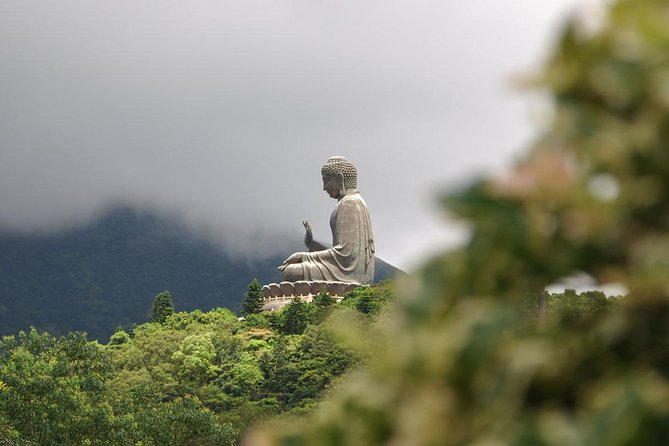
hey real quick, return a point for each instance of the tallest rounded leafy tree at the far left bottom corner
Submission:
(54, 389)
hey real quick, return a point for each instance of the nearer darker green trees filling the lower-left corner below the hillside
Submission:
(58, 391)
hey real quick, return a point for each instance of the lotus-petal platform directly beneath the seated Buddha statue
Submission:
(277, 295)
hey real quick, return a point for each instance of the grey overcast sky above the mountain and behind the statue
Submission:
(224, 111)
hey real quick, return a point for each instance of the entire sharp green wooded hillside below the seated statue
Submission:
(191, 378)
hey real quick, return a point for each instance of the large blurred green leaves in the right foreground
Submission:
(463, 363)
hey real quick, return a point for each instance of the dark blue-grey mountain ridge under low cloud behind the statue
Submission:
(105, 274)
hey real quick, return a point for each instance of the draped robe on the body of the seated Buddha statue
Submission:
(351, 257)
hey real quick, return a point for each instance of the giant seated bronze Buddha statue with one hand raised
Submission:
(351, 257)
